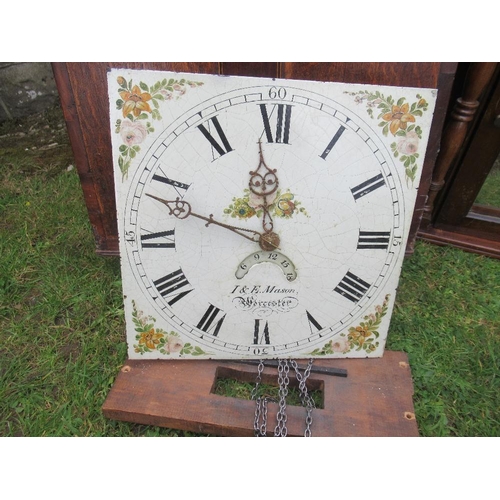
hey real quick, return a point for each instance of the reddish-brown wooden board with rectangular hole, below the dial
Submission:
(375, 399)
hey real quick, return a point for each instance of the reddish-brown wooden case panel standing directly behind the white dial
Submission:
(84, 98)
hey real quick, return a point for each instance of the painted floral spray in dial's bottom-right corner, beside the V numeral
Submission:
(362, 337)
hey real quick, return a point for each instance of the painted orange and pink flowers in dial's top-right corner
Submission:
(399, 119)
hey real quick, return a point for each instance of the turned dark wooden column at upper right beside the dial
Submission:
(478, 76)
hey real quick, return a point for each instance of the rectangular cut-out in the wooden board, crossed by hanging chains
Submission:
(233, 383)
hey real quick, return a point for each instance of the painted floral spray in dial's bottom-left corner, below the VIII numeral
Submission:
(151, 339)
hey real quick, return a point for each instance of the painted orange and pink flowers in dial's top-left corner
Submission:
(140, 105)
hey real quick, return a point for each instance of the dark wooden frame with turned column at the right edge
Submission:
(471, 144)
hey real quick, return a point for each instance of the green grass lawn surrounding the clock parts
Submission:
(62, 337)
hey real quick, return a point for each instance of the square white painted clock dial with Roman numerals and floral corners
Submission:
(262, 218)
